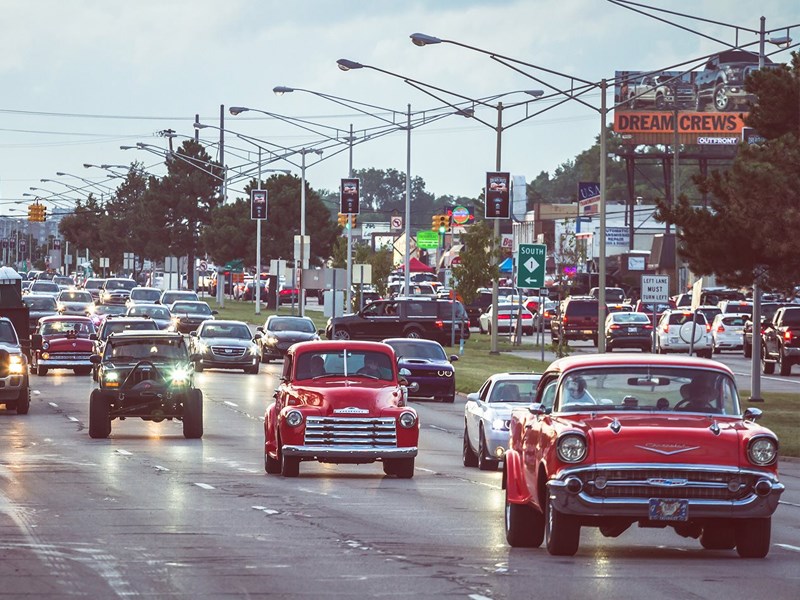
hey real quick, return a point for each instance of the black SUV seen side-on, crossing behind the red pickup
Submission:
(412, 317)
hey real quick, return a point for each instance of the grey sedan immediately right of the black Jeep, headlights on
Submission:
(218, 344)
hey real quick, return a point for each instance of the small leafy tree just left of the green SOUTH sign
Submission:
(475, 269)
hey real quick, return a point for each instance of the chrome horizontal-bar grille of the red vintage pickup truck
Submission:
(348, 431)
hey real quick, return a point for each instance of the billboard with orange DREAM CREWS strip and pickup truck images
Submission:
(704, 107)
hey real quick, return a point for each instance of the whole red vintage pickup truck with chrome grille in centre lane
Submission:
(340, 402)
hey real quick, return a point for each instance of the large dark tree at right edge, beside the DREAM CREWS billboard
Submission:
(750, 228)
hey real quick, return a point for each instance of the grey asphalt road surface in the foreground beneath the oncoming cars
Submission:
(149, 514)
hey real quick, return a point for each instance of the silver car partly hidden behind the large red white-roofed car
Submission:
(487, 415)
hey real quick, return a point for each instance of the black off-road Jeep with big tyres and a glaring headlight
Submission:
(145, 374)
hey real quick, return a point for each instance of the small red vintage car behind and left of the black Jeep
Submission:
(62, 342)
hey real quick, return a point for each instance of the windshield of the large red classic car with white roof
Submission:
(647, 389)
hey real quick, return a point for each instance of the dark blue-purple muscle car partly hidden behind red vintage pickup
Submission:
(428, 366)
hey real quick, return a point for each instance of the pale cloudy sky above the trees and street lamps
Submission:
(80, 78)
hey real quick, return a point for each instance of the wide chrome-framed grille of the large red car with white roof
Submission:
(668, 483)
